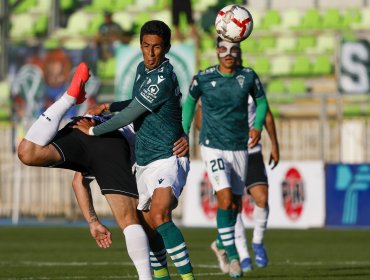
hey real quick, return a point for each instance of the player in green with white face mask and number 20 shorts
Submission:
(224, 90)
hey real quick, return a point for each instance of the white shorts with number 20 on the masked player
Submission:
(226, 169)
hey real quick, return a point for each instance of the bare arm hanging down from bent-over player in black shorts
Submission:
(99, 232)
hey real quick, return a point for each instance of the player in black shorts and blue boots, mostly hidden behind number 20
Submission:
(257, 187)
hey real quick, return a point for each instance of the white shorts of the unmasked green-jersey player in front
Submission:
(170, 172)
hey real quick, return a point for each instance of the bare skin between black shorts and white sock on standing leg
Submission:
(123, 208)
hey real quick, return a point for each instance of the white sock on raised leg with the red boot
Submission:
(46, 126)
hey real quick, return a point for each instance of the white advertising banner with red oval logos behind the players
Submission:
(296, 197)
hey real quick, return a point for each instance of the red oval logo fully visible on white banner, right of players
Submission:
(293, 193)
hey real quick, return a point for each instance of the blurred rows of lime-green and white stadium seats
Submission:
(291, 39)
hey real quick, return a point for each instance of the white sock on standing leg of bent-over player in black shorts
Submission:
(138, 249)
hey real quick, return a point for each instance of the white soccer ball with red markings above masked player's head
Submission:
(234, 23)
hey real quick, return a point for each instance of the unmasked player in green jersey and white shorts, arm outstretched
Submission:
(156, 112)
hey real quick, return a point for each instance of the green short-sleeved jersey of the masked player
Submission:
(225, 106)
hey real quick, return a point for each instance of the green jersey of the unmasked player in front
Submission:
(157, 130)
